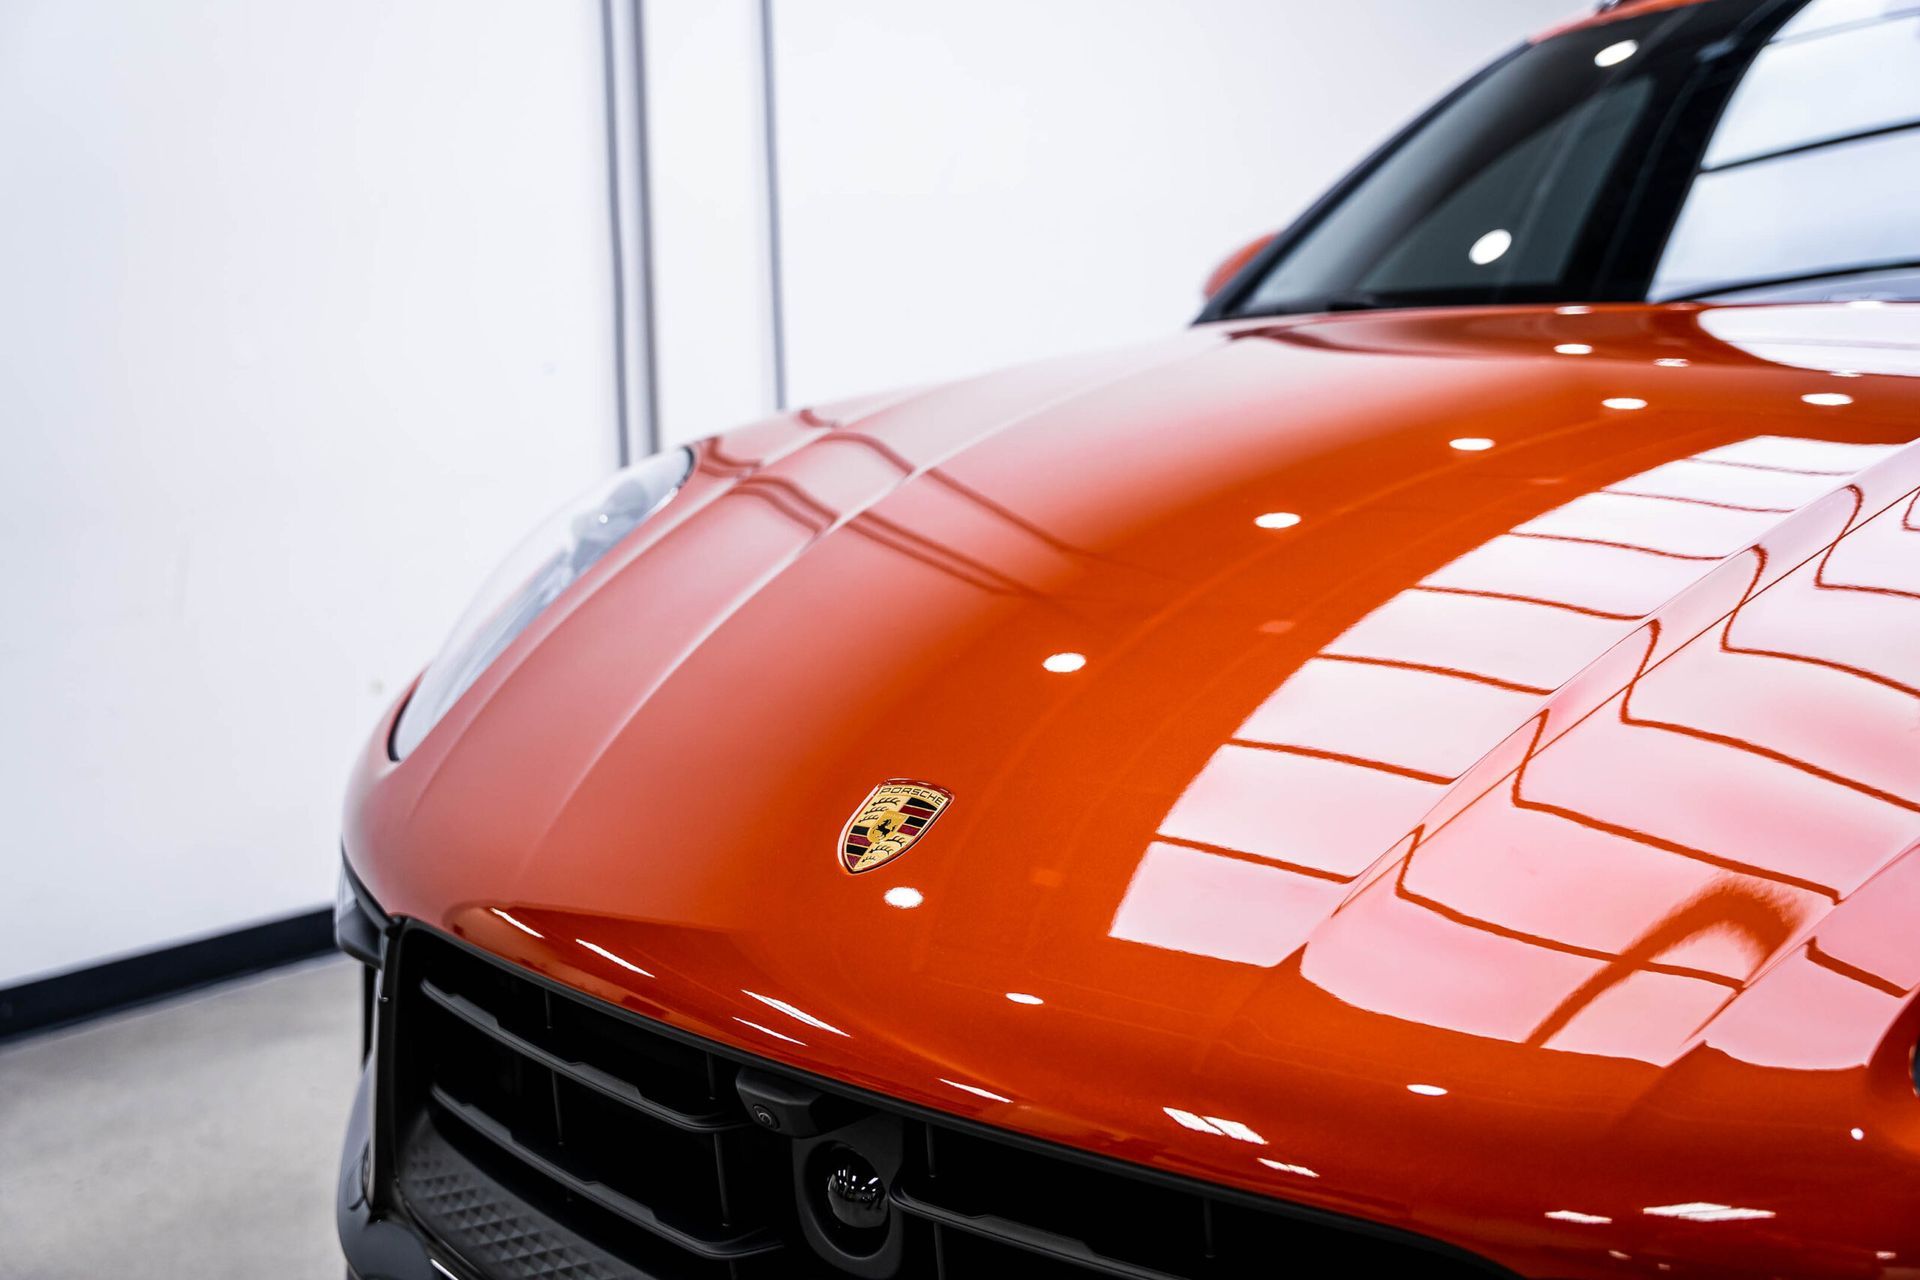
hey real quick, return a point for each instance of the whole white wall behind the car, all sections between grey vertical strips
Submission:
(306, 314)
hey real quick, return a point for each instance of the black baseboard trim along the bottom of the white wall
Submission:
(168, 972)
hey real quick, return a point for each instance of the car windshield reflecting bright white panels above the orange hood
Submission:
(1754, 151)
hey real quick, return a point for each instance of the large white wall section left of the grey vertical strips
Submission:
(306, 316)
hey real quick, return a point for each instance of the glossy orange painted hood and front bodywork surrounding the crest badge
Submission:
(1520, 847)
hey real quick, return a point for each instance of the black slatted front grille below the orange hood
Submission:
(542, 1135)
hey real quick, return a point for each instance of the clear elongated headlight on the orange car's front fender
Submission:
(558, 554)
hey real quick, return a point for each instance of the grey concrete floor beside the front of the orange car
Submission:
(195, 1139)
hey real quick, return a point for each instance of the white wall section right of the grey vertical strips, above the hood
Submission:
(969, 185)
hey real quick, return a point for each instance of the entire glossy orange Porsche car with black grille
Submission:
(1416, 776)
